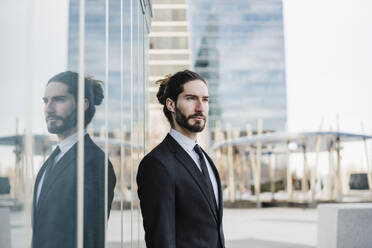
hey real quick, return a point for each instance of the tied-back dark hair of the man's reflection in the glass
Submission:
(93, 90)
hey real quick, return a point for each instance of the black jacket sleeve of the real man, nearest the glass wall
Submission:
(157, 200)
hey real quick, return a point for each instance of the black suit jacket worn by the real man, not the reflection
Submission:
(174, 200)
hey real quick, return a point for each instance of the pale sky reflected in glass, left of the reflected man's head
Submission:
(33, 48)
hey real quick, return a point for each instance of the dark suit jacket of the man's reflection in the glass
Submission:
(54, 215)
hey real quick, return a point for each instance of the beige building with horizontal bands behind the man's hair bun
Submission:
(169, 53)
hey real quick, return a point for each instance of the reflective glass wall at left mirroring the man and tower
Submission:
(73, 140)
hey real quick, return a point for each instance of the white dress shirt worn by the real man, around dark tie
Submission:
(188, 145)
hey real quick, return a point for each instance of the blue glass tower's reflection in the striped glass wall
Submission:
(135, 49)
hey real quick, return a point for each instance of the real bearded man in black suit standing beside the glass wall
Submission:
(178, 185)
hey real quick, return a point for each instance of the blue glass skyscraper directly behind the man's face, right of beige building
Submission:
(239, 48)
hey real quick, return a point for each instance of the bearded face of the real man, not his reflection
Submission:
(191, 109)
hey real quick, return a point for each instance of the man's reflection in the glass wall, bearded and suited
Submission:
(55, 191)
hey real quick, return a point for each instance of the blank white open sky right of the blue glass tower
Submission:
(328, 63)
